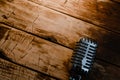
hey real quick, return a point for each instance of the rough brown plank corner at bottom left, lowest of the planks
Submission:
(11, 71)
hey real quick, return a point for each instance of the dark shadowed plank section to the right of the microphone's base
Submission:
(104, 71)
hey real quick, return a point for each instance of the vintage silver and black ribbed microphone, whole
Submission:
(83, 58)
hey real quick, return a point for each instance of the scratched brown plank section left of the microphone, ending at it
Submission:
(34, 52)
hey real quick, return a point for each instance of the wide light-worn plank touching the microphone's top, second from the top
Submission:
(58, 27)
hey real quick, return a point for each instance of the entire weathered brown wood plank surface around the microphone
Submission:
(37, 37)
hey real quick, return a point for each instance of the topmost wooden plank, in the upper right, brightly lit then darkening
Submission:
(104, 13)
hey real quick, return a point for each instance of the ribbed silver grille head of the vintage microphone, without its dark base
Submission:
(84, 54)
